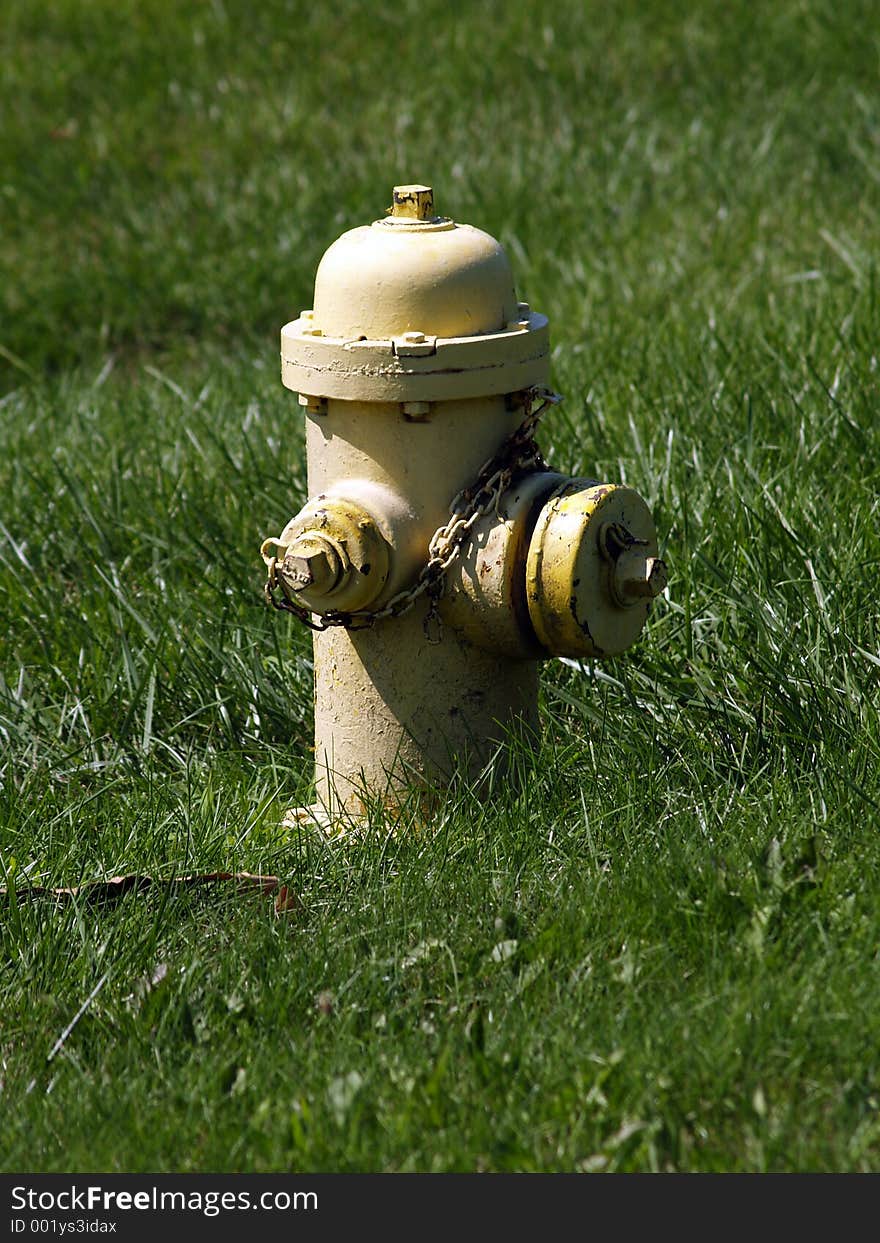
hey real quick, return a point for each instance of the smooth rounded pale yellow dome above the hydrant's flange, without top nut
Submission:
(439, 279)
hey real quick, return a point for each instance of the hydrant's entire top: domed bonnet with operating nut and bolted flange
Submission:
(415, 308)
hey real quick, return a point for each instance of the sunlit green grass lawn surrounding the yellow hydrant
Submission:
(664, 953)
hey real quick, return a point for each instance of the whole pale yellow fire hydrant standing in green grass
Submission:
(438, 560)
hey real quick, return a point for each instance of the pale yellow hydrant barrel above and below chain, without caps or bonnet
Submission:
(393, 709)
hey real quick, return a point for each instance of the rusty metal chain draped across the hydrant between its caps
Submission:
(519, 453)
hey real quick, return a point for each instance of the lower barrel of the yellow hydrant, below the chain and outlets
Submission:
(386, 732)
